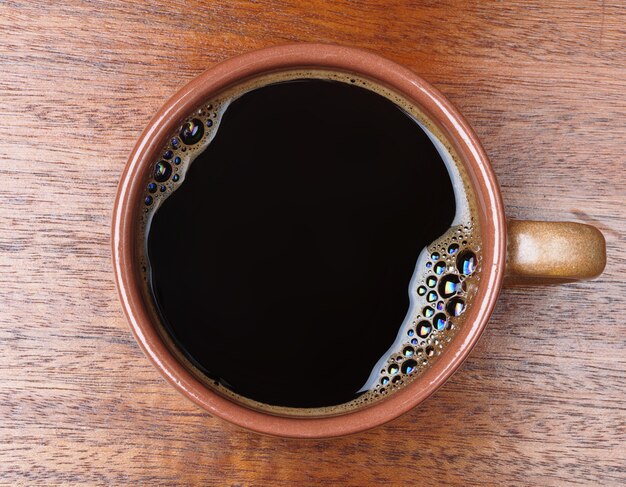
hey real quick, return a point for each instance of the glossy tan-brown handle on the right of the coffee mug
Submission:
(553, 252)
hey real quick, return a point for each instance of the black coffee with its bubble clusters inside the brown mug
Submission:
(280, 265)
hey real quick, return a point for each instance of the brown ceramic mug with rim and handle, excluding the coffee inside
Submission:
(521, 251)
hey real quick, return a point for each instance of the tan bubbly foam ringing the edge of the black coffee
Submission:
(413, 349)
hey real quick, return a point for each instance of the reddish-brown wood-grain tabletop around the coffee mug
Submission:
(541, 401)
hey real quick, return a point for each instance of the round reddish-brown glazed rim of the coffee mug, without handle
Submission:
(325, 56)
